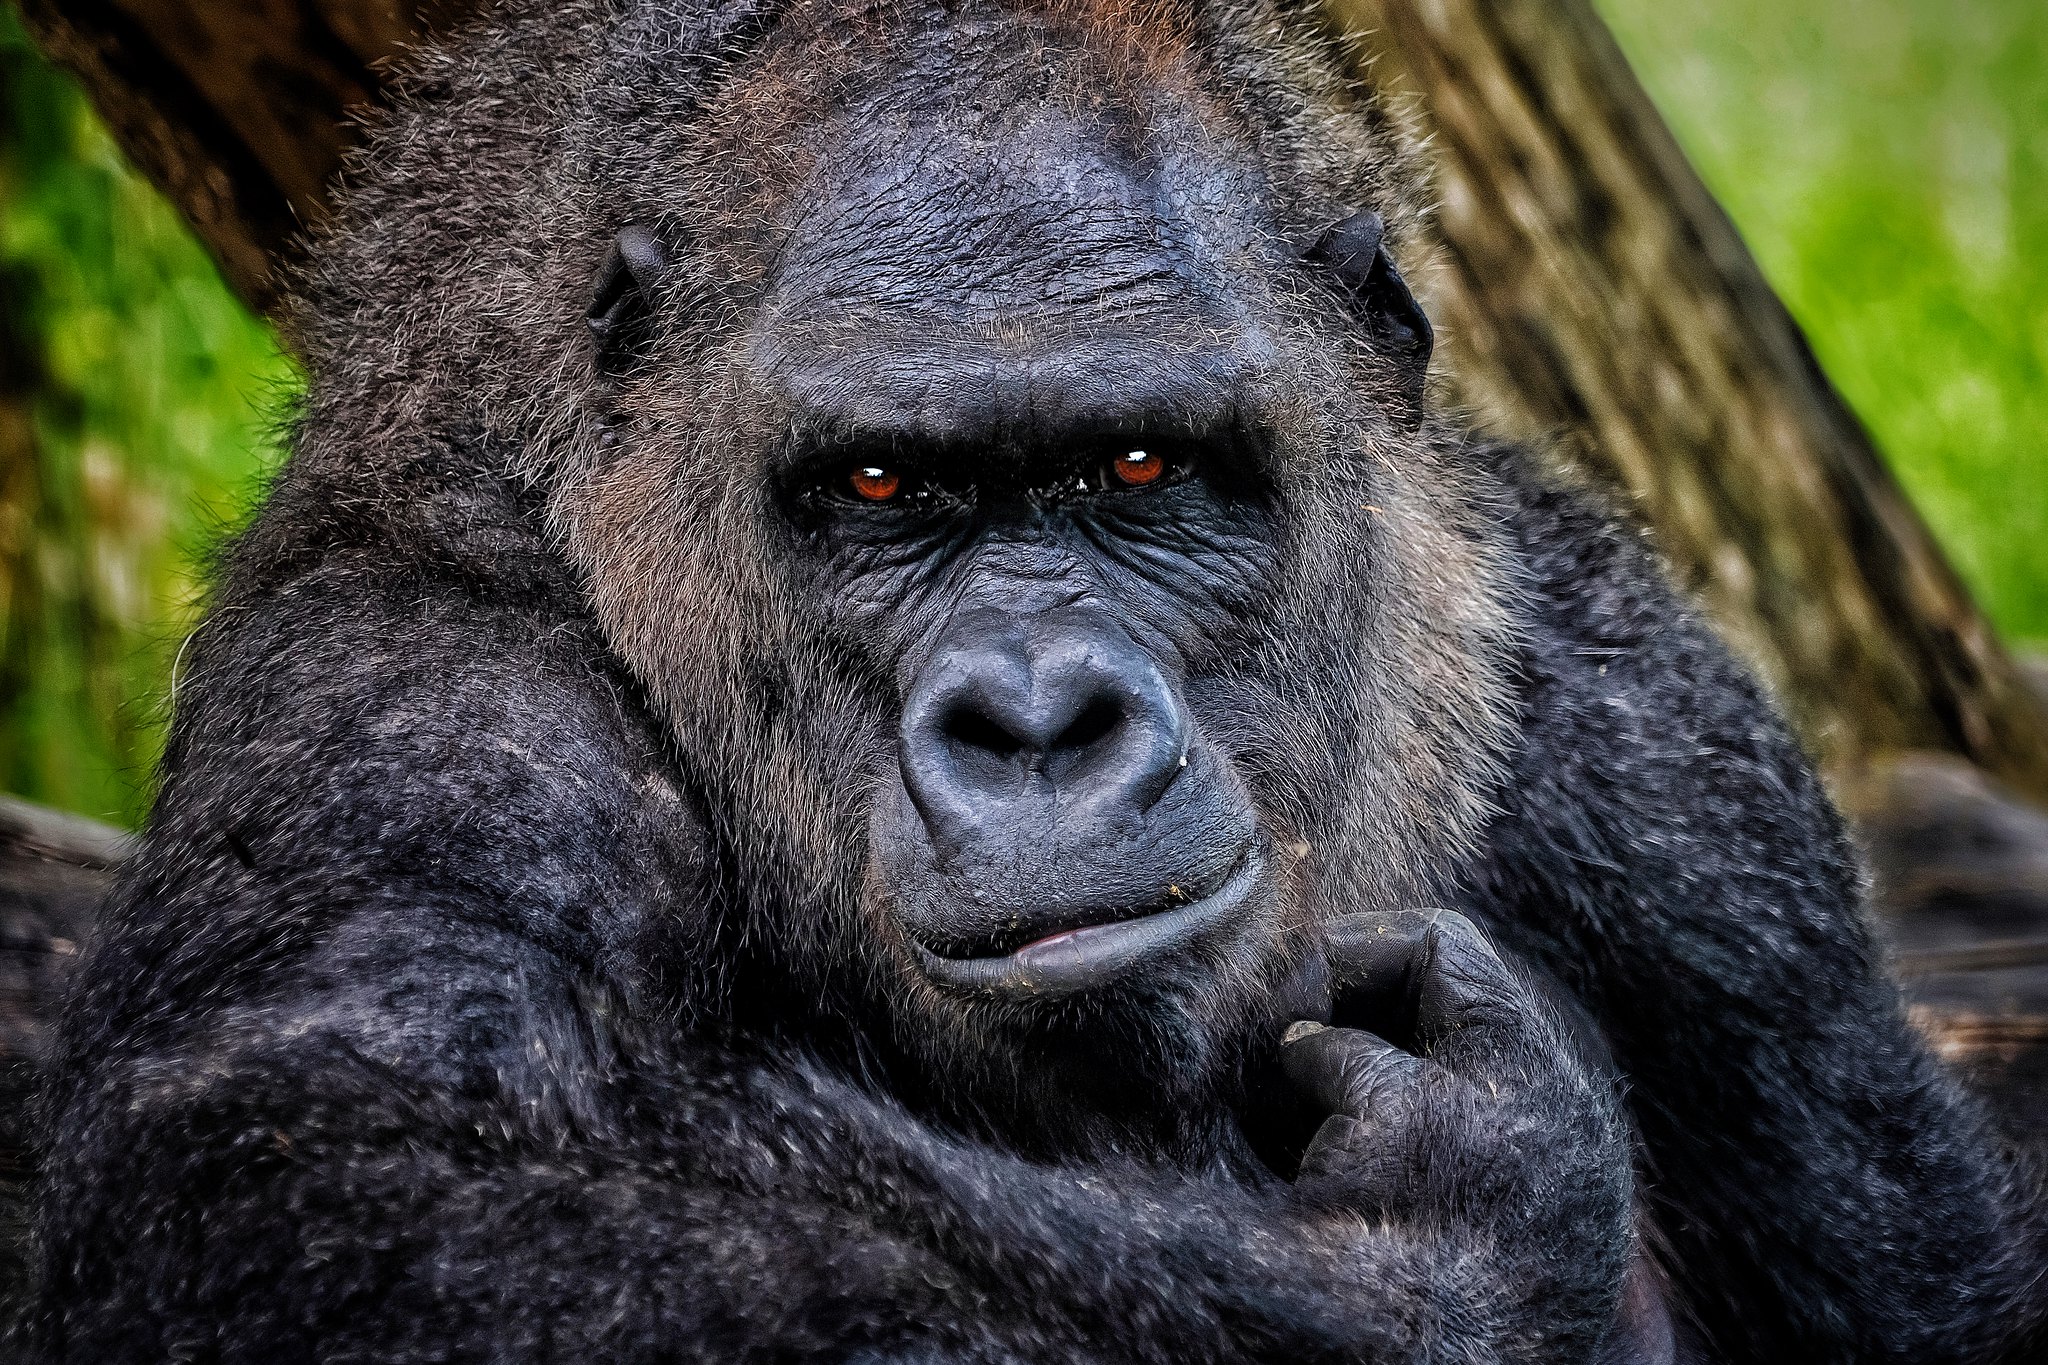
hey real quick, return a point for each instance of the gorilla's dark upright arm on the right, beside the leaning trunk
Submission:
(1826, 1190)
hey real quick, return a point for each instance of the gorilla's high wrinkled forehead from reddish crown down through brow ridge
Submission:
(1013, 220)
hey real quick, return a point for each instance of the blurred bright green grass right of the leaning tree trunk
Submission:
(1889, 165)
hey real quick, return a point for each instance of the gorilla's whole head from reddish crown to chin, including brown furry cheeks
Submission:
(1062, 480)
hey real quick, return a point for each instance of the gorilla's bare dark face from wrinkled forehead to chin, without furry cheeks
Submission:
(1046, 486)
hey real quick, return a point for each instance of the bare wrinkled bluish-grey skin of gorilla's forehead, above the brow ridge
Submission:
(1037, 212)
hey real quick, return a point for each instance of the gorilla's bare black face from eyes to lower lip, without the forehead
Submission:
(1058, 816)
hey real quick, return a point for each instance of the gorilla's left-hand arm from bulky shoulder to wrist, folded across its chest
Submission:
(355, 1071)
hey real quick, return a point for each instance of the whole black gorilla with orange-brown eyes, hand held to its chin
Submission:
(873, 723)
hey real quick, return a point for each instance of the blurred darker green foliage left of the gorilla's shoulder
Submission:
(136, 412)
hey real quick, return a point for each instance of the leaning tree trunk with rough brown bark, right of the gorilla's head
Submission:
(1594, 294)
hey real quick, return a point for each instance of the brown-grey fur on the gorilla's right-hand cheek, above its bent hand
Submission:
(1390, 701)
